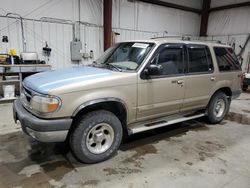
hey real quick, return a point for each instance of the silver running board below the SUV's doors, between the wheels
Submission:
(161, 123)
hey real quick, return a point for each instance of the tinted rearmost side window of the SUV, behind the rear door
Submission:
(226, 59)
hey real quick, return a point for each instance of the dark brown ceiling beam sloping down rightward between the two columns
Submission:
(172, 5)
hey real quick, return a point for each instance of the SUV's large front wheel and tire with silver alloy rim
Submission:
(96, 136)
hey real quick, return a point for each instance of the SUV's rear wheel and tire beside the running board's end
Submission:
(218, 107)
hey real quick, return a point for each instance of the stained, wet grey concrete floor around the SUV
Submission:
(190, 154)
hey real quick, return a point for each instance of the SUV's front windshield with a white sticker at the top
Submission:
(125, 56)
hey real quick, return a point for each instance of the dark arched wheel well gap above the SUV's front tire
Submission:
(117, 108)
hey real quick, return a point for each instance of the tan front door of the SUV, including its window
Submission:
(161, 94)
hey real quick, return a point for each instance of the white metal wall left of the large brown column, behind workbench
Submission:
(58, 35)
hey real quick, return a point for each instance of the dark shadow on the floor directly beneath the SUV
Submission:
(42, 152)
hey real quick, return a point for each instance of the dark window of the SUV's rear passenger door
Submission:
(199, 59)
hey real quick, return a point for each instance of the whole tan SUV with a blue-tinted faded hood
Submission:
(133, 87)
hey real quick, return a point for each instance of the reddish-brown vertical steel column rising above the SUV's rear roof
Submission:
(204, 17)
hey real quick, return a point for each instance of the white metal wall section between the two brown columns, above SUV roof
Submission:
(153, 18)
